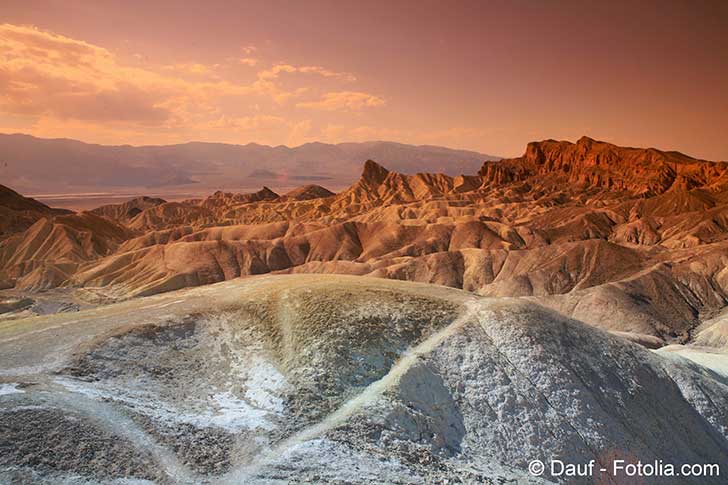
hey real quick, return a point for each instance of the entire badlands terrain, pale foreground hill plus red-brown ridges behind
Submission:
(567, 304)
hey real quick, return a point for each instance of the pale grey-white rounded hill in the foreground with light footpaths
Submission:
(338, 379)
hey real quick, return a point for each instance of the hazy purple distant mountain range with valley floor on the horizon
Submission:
(35, 165)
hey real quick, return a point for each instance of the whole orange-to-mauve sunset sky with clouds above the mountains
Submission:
(488, 76)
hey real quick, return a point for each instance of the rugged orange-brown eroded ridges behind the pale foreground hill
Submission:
(631, 240)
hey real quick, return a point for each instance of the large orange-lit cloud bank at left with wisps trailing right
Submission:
(53, 85)
